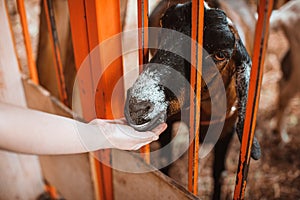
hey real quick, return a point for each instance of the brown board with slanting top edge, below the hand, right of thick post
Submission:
(151, 185)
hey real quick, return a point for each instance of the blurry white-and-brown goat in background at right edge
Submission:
(287, 19)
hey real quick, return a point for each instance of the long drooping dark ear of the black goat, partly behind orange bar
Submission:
(243, 65)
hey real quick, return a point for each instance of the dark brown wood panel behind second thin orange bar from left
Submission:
(45, 62)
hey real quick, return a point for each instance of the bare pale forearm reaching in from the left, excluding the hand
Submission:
(30, 131)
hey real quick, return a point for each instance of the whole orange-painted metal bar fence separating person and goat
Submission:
(88, 24)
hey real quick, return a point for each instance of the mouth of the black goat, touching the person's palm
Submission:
(148, 125)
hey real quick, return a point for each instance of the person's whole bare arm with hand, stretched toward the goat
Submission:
(34, 132)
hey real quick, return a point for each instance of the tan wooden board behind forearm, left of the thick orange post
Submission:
(70, 174)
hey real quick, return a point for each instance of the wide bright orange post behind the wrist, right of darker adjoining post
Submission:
(108, 15)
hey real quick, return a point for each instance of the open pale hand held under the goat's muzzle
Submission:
(122, 136)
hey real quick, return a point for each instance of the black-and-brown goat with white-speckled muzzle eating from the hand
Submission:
(149, 101)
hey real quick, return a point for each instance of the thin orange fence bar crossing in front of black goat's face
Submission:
(195, 98)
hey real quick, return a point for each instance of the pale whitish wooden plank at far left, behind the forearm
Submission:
(20, 175)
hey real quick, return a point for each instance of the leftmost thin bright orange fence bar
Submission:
(30, 59)
